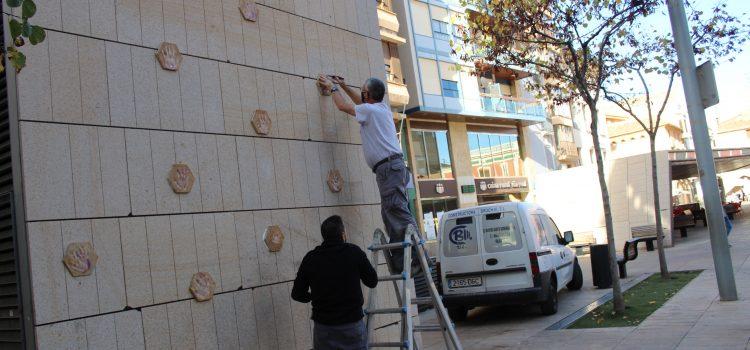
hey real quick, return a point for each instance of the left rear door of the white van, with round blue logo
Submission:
(460, 260)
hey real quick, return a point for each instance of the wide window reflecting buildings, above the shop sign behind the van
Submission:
(494, 155)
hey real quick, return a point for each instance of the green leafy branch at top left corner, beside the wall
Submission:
(18, 31)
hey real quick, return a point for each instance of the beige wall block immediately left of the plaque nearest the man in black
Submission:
(247, 248)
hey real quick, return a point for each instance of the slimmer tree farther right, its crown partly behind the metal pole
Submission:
(714, 34)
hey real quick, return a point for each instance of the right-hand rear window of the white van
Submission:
(501, 232)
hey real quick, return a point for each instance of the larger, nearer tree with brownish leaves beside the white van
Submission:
(574, 45)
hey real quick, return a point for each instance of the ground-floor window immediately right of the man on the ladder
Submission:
(431, 154)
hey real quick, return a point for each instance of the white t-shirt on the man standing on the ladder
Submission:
(378, 131)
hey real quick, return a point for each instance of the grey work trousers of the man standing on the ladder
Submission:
(392, 178)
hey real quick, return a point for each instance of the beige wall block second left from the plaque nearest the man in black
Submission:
(229, 260)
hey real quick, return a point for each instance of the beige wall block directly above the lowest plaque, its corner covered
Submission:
(207, 246)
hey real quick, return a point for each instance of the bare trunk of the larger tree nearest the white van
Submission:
(617, 299)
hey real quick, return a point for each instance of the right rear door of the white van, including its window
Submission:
(505, 256)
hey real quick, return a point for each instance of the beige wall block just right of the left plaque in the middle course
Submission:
(210, 178)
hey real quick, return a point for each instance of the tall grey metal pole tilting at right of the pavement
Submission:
(703, 153)
